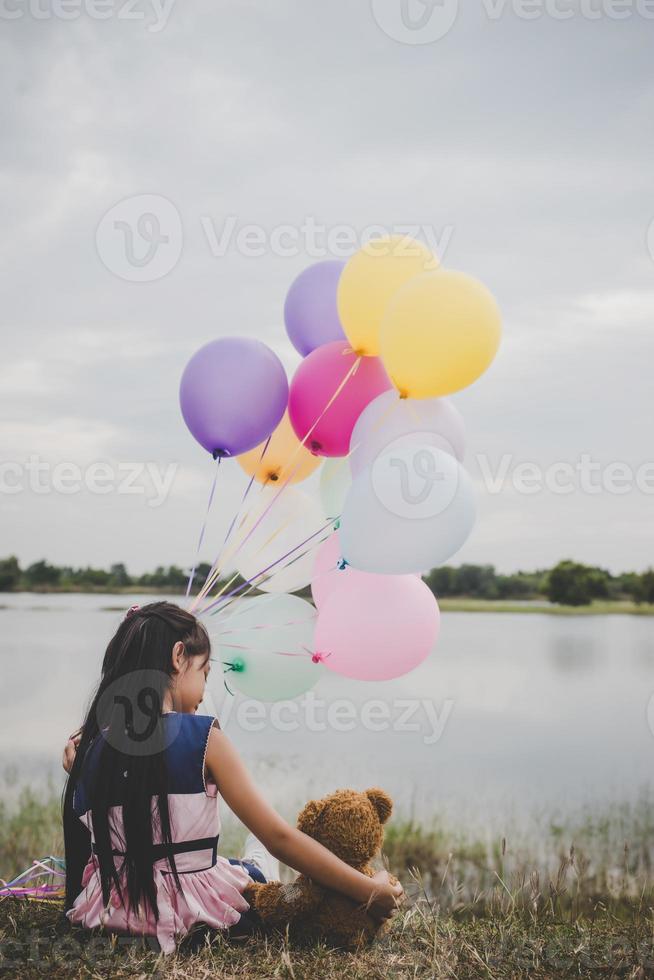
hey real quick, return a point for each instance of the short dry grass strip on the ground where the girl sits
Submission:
(424, 942)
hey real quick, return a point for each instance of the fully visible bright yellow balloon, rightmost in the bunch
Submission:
(440, 333)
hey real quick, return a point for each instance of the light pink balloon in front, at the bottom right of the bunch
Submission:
(382, 629)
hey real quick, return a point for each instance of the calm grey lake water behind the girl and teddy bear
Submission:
(512, 713)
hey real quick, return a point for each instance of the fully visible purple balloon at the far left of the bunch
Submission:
(233, 393)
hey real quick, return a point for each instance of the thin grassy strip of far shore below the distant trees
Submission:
(600, 607)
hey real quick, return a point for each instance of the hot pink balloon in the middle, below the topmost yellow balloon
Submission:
(314, 385)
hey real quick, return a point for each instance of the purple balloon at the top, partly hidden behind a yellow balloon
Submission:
(310, 311)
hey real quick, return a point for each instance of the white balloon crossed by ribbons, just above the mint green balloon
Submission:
(277, 539)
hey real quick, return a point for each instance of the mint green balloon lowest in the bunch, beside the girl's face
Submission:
(269, 640)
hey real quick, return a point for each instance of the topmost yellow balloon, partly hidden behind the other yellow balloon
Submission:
(369, 281)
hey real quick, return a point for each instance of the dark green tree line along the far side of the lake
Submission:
(568, 583)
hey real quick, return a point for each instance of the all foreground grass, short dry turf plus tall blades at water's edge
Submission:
(563, 898)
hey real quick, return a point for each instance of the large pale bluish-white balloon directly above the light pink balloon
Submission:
(408, 512)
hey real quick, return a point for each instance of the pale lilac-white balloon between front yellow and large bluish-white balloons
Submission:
(429, 421)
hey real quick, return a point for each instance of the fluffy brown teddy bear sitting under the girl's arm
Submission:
(351, 825)
